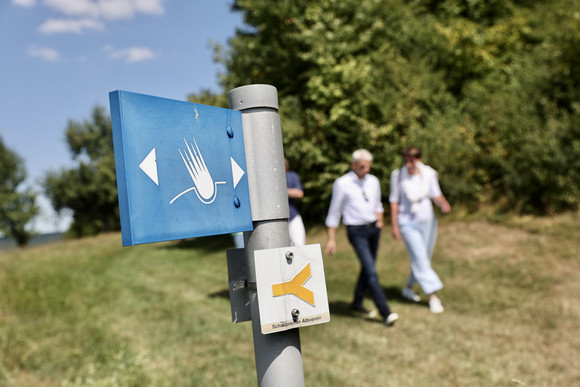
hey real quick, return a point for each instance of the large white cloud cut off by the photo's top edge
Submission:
(106, 9)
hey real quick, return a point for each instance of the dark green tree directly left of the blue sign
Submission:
(90, 189)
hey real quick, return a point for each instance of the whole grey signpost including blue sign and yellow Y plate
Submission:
(189, 170)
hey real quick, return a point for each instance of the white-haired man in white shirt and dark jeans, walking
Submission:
(356, 198)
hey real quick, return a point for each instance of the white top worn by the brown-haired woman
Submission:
(414, 193)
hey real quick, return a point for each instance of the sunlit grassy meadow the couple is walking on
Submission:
(91, 313)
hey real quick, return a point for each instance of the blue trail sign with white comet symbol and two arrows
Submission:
(181, 169)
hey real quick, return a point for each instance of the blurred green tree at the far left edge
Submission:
(17, 205)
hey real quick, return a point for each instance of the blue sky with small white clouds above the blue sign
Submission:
(61, 58)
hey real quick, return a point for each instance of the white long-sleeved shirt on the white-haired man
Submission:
(356, 200)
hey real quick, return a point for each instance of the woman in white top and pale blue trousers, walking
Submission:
(413, 220)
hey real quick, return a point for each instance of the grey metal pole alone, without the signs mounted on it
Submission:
(278, 356)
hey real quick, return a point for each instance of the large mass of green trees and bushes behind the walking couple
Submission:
(489, 89)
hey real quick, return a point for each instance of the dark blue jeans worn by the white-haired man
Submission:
(365, 240)
